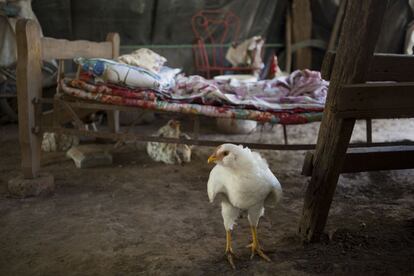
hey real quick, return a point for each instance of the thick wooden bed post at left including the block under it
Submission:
(29, 88)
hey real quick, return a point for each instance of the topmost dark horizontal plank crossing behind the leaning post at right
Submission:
(384, 67)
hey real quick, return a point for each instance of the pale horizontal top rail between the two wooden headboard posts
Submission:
(65, 49)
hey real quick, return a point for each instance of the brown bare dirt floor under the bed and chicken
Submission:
(140, 217)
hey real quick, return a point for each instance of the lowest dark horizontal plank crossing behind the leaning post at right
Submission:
(370, 159)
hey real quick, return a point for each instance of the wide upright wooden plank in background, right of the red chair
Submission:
(302, 31)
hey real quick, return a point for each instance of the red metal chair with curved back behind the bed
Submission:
(212, 29)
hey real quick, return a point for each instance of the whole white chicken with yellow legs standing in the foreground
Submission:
(243, 181)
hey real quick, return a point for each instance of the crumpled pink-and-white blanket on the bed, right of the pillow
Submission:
(300, 90)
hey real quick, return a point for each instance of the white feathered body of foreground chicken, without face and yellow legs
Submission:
(246, 181)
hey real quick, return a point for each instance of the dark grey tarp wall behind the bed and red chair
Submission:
(143, 22)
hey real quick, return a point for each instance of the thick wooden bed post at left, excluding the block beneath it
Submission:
(29, 87)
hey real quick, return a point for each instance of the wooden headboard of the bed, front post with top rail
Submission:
(32, 49)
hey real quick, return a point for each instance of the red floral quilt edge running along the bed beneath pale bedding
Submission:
(157, 101)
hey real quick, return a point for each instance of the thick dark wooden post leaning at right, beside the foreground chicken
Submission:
(360, 32)
